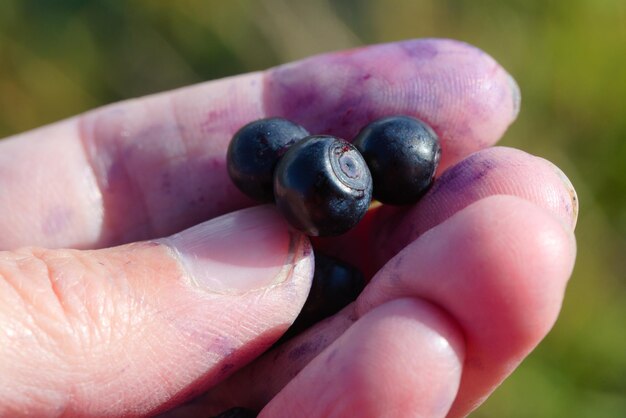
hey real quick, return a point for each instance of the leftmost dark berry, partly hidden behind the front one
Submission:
(254, 151)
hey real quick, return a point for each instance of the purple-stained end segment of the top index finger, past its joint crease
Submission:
(431, 79)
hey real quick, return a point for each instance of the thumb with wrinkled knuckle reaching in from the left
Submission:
(132, 330)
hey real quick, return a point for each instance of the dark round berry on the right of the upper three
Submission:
(402, 154)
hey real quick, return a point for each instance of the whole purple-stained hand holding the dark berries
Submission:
(465, 283)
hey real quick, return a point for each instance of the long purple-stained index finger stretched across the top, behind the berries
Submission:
(152, 166)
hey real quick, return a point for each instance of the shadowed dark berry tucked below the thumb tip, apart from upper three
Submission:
(335, 285)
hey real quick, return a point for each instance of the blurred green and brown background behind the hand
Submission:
(59, 58)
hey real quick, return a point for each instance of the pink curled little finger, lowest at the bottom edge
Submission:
(402, 359)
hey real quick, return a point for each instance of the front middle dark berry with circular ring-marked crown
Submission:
(322, 186)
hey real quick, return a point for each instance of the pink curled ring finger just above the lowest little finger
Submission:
(499, 267)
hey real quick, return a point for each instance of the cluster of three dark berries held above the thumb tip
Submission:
(323, 185)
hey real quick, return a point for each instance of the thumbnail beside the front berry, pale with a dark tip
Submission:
(239, 252)
